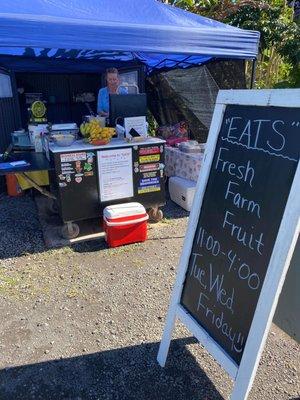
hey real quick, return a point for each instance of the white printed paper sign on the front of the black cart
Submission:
(115, 174)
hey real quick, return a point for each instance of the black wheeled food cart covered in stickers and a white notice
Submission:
(86, 178)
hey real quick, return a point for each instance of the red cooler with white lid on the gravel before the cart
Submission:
(124, 224)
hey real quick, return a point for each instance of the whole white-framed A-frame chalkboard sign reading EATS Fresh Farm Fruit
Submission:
(242, 230)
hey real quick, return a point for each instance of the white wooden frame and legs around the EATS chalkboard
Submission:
(243, 374)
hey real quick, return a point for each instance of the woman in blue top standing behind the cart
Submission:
(113, 82)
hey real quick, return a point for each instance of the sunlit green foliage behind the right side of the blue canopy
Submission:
(280, 36)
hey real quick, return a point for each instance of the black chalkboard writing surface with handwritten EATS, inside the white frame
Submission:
(253, 167)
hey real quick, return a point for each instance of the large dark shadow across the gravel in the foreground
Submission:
(125, 373)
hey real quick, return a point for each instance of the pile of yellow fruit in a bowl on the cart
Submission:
(94, 133)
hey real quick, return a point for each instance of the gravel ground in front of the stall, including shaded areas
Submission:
(85, 322)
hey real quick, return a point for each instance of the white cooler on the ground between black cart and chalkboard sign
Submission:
(182, 191)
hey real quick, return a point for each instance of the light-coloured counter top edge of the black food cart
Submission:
(79, 145)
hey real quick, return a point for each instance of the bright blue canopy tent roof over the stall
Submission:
(47, 35)
